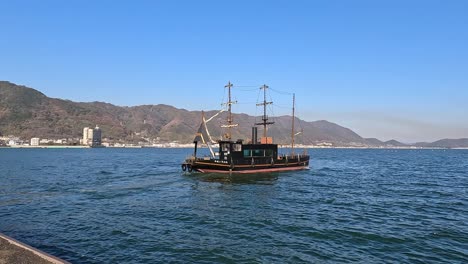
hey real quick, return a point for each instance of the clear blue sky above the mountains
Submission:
(385, 69)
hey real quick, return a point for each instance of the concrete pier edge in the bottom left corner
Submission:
(13, 251)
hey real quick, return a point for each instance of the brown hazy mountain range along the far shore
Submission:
(27, 113)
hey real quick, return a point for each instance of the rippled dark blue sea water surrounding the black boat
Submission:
(136, 206)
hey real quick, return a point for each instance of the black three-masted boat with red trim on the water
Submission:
(235, 156)
